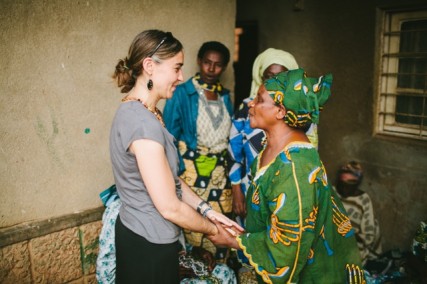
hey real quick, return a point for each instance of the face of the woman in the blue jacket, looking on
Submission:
(211, 66)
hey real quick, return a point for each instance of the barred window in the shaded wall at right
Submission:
(402, 98)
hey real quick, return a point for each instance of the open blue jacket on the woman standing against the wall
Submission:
(181, 111)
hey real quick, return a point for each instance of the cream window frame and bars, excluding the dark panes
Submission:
(387, 59)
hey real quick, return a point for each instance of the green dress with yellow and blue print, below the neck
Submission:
(297, 228)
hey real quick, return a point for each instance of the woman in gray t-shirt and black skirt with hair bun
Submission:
(155, 202)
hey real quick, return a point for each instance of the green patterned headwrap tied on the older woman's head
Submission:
(302, 97)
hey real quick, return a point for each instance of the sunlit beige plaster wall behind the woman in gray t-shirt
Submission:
(57, 97)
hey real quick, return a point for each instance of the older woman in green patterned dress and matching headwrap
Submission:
(297, 228)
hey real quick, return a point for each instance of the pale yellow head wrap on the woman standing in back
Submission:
(264, 60)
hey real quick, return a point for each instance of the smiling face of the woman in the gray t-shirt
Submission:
(167, 75)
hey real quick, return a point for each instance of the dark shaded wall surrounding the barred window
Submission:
(339, 37)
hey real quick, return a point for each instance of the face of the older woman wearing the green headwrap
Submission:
(262, 110)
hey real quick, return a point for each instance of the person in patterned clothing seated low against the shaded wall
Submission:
(360, 210)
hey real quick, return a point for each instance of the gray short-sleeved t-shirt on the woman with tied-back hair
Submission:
(138, 213)
